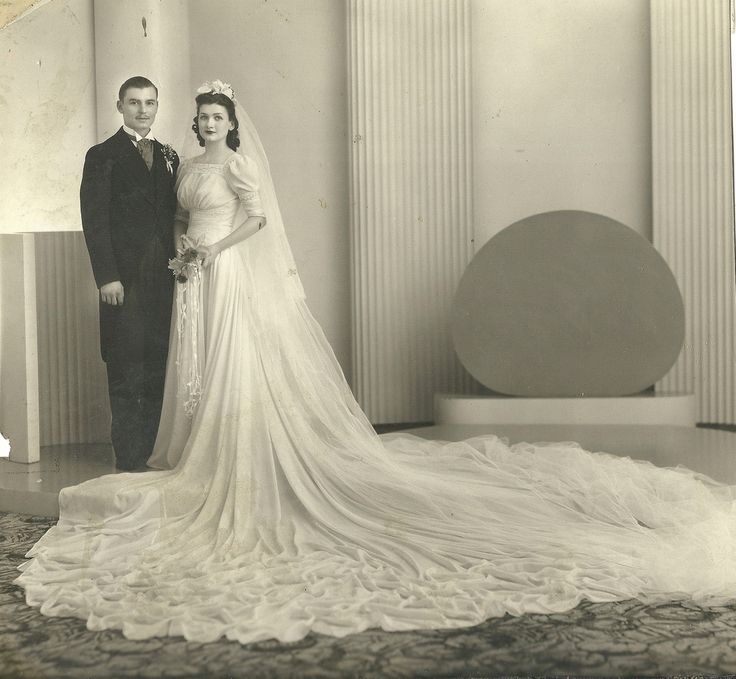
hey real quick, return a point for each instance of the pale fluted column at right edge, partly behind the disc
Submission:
(693, 192)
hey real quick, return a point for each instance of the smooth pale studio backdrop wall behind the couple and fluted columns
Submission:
(560, 111)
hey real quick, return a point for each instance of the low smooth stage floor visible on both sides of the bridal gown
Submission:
(34, 488)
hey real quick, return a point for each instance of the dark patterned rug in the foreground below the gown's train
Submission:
(593, 640)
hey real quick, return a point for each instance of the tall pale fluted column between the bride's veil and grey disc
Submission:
(409, 71)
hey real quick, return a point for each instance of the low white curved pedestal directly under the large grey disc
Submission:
(662, 409)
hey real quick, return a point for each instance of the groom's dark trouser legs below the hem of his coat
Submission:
(136, 394)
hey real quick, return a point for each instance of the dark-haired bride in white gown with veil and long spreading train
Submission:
(276, 510)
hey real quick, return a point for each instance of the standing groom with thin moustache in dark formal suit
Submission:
(127, 203)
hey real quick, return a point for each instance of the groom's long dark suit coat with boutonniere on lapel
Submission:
(127, 217)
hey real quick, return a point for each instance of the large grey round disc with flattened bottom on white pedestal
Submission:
(568, 303)
